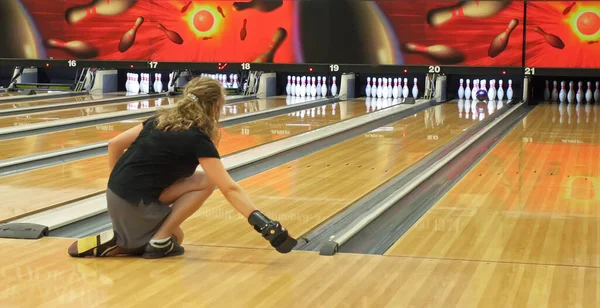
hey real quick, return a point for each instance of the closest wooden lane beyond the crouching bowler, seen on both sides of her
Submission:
(40, 189)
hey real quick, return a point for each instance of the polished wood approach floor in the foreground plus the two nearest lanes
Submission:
(535, 246)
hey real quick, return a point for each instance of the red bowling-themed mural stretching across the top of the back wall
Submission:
(473, 32)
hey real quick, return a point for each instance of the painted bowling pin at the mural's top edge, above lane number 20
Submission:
(470, 8)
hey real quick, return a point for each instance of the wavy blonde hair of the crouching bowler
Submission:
(200, 106)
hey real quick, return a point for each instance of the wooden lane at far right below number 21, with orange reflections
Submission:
(534, 198)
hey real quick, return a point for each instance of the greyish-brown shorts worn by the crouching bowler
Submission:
(134, 225)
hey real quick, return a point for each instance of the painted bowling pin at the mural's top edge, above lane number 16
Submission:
(97, 7)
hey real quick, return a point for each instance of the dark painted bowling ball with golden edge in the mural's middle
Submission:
(354, 32)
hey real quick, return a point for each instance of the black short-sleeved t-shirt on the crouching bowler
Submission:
(156, 159)
